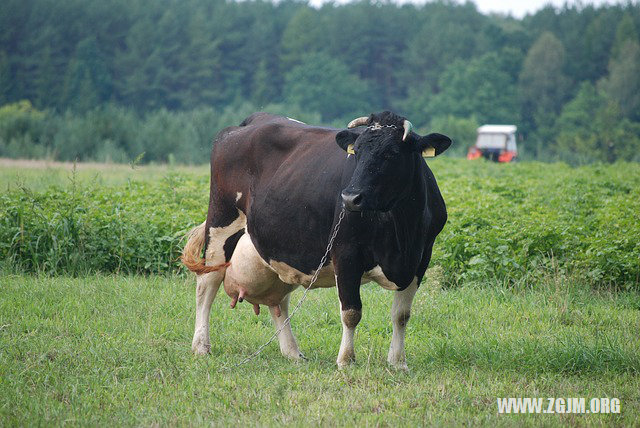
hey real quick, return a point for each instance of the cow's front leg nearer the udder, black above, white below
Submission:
(350, 313)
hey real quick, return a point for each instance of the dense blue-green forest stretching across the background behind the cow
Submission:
(116, 80)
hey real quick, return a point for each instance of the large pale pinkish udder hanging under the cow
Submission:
(249, 278)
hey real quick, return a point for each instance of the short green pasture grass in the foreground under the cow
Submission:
(109, 350)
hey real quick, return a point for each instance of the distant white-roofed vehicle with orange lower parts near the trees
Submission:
(496, 143)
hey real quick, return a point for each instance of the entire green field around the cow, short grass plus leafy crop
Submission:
(533, 292)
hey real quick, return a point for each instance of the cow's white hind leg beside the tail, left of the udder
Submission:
(209, 283)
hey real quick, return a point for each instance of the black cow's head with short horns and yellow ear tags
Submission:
(385, 152)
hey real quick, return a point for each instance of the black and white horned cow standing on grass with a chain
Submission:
(278, 187)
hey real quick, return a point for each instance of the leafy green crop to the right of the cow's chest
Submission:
(516, 222)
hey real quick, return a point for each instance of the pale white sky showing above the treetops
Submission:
(517, 8)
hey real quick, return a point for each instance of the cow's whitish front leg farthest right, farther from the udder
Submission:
(400, 313)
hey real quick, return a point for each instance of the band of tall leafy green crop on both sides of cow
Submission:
(508, 223)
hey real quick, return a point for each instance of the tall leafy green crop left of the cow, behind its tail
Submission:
(133, 228)
